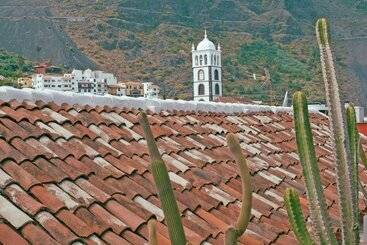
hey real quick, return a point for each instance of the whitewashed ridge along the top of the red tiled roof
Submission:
(155, 105)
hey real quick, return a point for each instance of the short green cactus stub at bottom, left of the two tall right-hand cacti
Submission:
(296, 219)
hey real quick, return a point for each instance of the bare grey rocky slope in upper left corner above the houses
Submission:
(30, 29)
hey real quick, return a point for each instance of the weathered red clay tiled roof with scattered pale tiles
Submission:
(74, 173)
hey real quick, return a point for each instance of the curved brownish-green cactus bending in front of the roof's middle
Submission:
(233, 233)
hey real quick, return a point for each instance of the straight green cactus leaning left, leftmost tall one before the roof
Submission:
(163, 184)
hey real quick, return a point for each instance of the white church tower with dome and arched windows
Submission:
(207, 71)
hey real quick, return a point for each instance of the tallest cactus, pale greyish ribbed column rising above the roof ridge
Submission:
(344, 171)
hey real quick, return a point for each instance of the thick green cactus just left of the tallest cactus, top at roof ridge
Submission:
(306, 152)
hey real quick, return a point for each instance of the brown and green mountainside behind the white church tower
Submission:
(151, 41)
